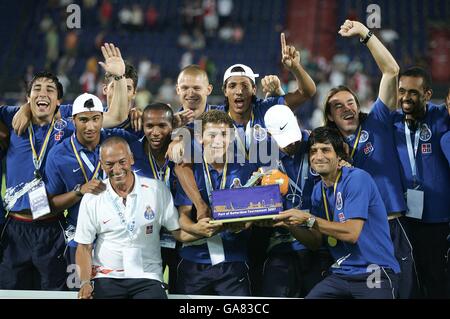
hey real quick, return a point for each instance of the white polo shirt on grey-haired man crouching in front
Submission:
(119, 253)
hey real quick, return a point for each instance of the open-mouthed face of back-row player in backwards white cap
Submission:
(239, 90)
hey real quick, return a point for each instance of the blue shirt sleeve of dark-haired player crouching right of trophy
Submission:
(357, 195)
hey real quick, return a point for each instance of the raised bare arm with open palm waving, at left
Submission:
(115, 66)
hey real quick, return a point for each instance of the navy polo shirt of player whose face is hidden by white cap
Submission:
(296, 167)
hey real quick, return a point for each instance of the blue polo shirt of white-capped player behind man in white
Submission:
(63, 171)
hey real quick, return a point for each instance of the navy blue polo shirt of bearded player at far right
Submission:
(432, 166)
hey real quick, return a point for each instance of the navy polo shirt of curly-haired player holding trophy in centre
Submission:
(235, 245)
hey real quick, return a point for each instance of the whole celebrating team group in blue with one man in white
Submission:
(123, 193)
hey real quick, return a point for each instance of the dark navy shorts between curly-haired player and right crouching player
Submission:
(294, 273)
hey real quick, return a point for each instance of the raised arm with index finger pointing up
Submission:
(290, 58)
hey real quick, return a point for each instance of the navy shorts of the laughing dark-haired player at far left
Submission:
(33, 255)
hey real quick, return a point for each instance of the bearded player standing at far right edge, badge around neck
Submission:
(418, 129)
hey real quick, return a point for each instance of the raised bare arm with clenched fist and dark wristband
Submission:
(384, 59)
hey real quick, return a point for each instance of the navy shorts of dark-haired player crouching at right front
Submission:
(337, 286)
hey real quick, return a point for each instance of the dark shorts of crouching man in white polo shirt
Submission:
(110, 288)
